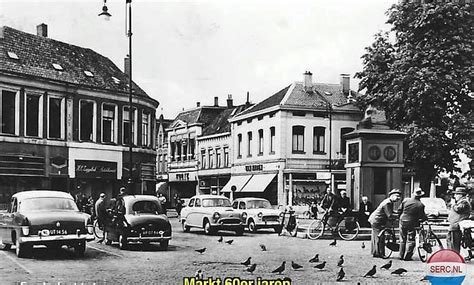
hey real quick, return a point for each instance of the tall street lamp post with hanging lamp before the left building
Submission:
(106, 15)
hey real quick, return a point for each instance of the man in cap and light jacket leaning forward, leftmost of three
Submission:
(379, 219)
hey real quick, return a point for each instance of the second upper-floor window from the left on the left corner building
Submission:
(33, 115)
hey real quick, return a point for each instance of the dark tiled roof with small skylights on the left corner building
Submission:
(37, 54)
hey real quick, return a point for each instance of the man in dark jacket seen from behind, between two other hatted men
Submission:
(411, 211)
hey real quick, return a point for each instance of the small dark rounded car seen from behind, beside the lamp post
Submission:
(143, 221)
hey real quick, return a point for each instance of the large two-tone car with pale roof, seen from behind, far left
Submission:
(42, 217)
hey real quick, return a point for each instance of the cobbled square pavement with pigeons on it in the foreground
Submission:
(110, 265)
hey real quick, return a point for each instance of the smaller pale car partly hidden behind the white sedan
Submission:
(260, 213)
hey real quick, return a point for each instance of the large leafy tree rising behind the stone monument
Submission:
(421, 74)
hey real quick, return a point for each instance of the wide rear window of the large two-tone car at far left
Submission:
(47, 204)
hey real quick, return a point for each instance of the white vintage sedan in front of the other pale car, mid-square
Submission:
(212, 213)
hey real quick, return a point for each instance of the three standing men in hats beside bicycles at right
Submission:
(410, 213)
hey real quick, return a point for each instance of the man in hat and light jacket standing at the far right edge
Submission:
(460, 211)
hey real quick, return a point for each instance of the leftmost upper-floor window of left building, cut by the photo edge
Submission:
(9, 120)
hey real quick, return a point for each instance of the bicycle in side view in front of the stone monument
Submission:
(346, 226)
